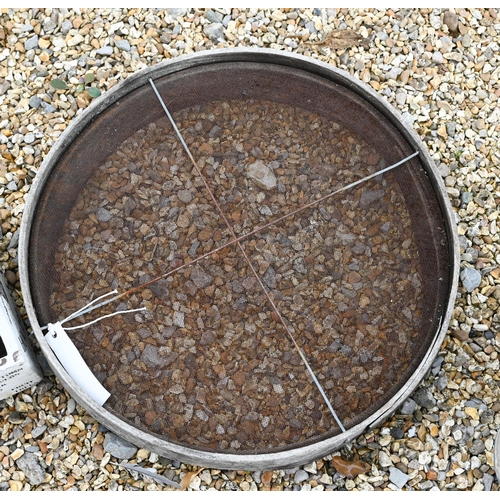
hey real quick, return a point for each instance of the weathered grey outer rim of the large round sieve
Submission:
(265, 461)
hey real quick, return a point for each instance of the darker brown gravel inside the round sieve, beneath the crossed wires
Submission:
(209, 365)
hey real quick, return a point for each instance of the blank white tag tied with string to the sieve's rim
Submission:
(74, 364)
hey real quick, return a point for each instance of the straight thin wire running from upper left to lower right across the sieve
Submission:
(242, 250)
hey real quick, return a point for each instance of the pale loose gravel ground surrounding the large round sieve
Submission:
(439, 68)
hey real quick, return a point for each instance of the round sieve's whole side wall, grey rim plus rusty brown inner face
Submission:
(227, 74)
